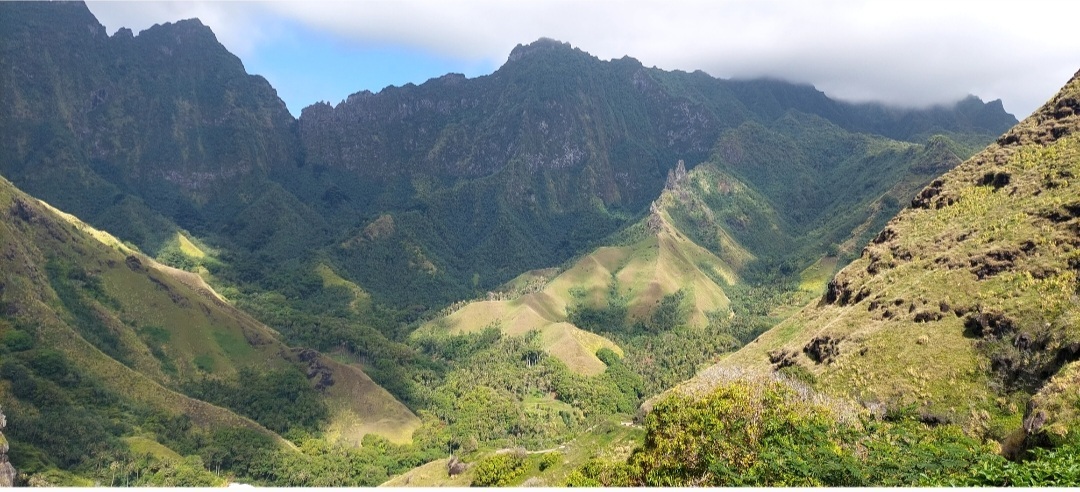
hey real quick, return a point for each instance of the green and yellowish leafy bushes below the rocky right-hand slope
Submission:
(774, 434)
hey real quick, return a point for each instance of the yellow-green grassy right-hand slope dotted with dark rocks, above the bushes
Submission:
(965, 306)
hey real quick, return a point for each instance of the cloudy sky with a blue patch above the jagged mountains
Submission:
(913, 53)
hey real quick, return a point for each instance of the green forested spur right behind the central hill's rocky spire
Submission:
(798, 187)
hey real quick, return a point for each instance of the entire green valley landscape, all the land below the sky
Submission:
(548, 276)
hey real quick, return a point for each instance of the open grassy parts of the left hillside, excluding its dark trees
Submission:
(196, 333)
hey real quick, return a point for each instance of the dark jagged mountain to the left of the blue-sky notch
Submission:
(134, 132)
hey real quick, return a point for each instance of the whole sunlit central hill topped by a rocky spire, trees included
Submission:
(657, 269)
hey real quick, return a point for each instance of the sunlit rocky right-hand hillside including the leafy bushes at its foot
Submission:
(946, 356)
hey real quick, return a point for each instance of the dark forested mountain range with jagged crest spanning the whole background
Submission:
(422, 195)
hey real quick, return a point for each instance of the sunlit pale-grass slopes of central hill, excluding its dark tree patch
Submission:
(643, 272)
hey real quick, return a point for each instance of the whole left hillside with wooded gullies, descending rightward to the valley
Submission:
(82, 312)
